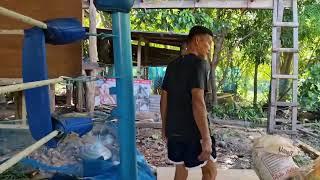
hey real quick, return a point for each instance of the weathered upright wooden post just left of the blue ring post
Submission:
(93, 54)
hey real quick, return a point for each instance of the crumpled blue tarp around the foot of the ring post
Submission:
(97, 169)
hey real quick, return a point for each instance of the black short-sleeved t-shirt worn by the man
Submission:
(182, 75)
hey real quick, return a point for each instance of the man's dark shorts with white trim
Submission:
(187, 152)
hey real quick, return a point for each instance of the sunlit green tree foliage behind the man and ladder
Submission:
(246, 44)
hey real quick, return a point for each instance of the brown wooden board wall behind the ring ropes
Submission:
(62, 60)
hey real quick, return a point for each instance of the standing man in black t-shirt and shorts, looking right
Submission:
(185, 125)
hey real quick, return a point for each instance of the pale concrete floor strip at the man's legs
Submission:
(167, 173)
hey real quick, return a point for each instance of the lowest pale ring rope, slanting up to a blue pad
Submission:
(12, 161)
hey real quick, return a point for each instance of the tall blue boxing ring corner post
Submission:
(125, 97)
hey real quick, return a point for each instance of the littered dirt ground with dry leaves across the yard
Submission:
(233, 144)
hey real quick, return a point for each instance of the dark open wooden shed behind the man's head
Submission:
(156, 48)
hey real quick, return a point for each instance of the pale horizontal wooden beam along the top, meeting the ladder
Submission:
(232, 4)
